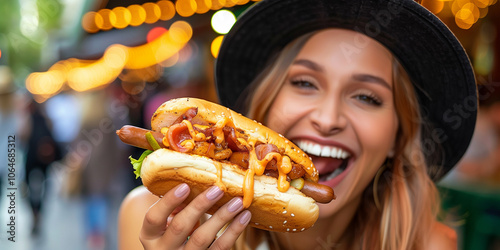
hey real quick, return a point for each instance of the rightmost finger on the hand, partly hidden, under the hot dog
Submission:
(229, 237)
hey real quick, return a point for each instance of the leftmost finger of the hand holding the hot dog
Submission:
(155, 220)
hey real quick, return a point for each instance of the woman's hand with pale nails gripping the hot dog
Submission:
(161, 231)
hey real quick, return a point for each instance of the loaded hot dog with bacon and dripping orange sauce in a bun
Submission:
(202, 143)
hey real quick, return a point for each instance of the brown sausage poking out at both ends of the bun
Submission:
(136, 136)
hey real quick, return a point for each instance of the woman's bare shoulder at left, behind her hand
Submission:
(131, 215)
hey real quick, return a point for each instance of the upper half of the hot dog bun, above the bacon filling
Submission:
(210, 112)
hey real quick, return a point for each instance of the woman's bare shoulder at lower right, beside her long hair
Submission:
(442, 237)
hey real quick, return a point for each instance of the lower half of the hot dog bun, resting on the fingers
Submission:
(289, 211)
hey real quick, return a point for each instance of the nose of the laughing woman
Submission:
(328, 117)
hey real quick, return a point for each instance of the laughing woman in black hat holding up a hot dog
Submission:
(380, 80)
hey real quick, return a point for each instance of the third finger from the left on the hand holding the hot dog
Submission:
(205, 234)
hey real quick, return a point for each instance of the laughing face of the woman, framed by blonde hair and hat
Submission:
(337, 105)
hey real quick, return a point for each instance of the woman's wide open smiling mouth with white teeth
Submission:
(337, 158)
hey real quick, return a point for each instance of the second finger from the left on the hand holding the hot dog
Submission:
(181, 226)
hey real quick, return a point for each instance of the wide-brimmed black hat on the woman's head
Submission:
(433, 57)
